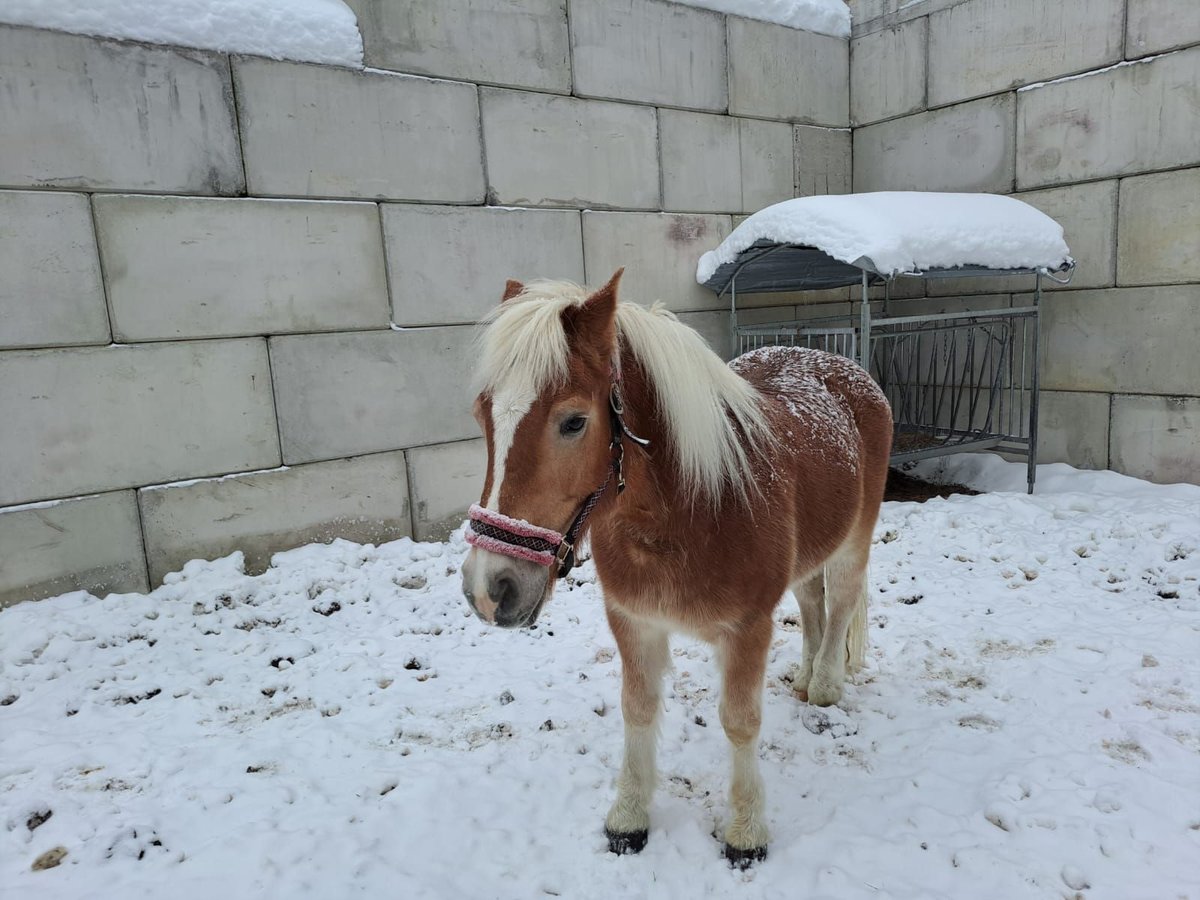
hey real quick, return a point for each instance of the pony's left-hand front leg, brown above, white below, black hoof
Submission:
(644, 657)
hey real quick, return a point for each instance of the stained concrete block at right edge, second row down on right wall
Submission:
(1123, 121)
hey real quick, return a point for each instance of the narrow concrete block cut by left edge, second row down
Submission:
(51, 293)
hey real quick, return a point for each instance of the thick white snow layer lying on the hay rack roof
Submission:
(904, 232)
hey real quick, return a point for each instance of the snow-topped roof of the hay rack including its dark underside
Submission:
(831, 241)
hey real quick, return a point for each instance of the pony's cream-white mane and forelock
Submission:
(715, 418)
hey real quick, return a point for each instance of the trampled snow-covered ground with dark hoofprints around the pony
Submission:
(1028, 727)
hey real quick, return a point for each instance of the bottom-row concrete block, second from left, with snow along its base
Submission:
(364, 500)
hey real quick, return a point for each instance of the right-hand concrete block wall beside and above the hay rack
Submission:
(1090, 111)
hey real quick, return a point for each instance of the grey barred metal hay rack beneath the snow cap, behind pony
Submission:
(957, 381)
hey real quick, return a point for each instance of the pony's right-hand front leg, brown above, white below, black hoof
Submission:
(745, 663)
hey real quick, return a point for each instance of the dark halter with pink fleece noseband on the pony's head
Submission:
(517, 538)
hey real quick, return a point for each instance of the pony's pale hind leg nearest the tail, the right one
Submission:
(845, 633)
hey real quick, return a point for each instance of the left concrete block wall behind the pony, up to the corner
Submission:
(237, 295)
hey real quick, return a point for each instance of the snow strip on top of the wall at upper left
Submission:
(307, 31)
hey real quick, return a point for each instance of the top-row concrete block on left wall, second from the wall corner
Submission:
(650, 52)
